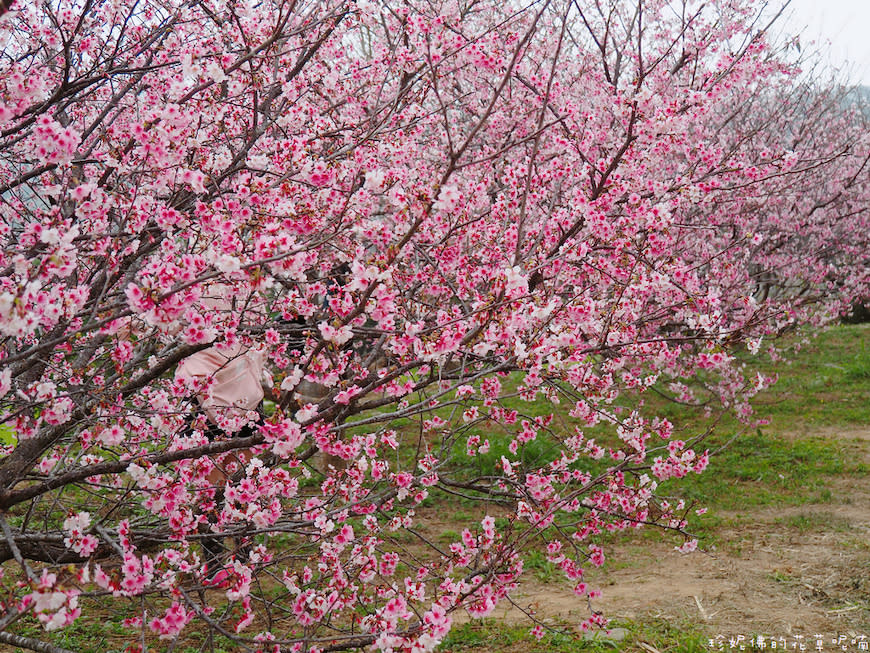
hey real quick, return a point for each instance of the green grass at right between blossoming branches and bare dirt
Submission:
(816, 391)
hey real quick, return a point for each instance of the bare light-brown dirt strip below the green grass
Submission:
(798, 570)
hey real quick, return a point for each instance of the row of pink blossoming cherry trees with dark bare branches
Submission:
(427, 211)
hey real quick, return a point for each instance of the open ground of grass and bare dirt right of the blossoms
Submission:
(786, 545)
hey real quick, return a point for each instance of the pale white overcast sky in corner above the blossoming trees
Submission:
(845, 23)
